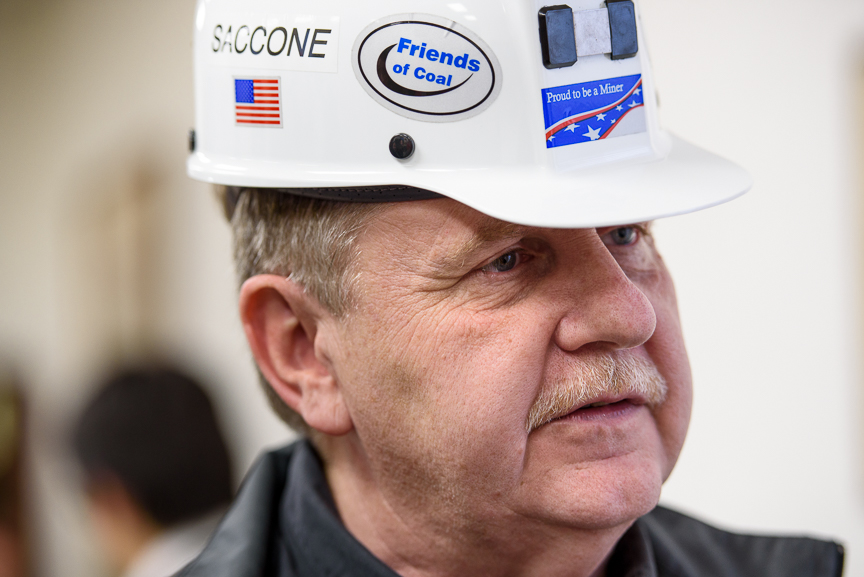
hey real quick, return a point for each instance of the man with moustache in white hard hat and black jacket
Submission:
(471, 325)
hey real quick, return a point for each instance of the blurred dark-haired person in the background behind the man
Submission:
(157, 472)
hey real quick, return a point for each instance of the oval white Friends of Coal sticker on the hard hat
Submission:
(426, 68)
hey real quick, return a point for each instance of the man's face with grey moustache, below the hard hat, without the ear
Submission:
(463, 322)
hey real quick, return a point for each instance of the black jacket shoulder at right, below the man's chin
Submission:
(686, 547)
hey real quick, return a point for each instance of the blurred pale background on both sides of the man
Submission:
(110, 255)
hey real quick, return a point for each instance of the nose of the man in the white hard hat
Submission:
(603, 306)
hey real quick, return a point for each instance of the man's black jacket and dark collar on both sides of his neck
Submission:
(284, 524)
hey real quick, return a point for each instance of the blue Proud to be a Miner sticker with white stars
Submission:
(592, 111)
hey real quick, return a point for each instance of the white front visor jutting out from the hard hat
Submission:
(685, 179)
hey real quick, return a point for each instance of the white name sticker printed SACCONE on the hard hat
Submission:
(303, 43)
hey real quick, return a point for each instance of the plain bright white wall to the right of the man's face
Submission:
(770, 285)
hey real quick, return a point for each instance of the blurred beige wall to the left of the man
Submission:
(95, 104)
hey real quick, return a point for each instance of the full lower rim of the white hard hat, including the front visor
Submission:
(679, 179)
